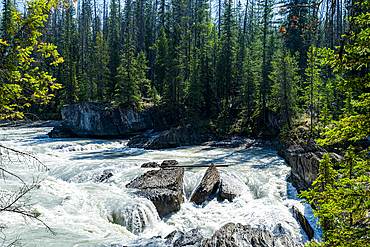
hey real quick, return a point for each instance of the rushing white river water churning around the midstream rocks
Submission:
(84, 212)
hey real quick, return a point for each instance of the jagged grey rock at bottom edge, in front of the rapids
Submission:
(238, 235)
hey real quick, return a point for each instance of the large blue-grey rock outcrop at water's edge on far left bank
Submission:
(98, 120)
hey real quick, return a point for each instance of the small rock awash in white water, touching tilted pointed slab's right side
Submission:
(230, 186)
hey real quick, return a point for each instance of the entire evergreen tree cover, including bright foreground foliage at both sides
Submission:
(225, 66)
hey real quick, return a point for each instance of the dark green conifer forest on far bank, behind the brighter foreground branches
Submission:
(218, 64)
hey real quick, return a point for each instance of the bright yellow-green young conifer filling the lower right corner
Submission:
(341, 201)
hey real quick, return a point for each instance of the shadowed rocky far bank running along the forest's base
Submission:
(147, 130)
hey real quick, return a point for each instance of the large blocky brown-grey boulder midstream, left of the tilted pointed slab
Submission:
(163, 187)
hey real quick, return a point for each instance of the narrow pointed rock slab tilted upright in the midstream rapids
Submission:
(207, 186)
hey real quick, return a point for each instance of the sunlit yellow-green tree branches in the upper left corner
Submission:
(22, 79)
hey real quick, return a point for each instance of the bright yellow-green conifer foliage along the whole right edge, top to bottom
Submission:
(342, 197)
